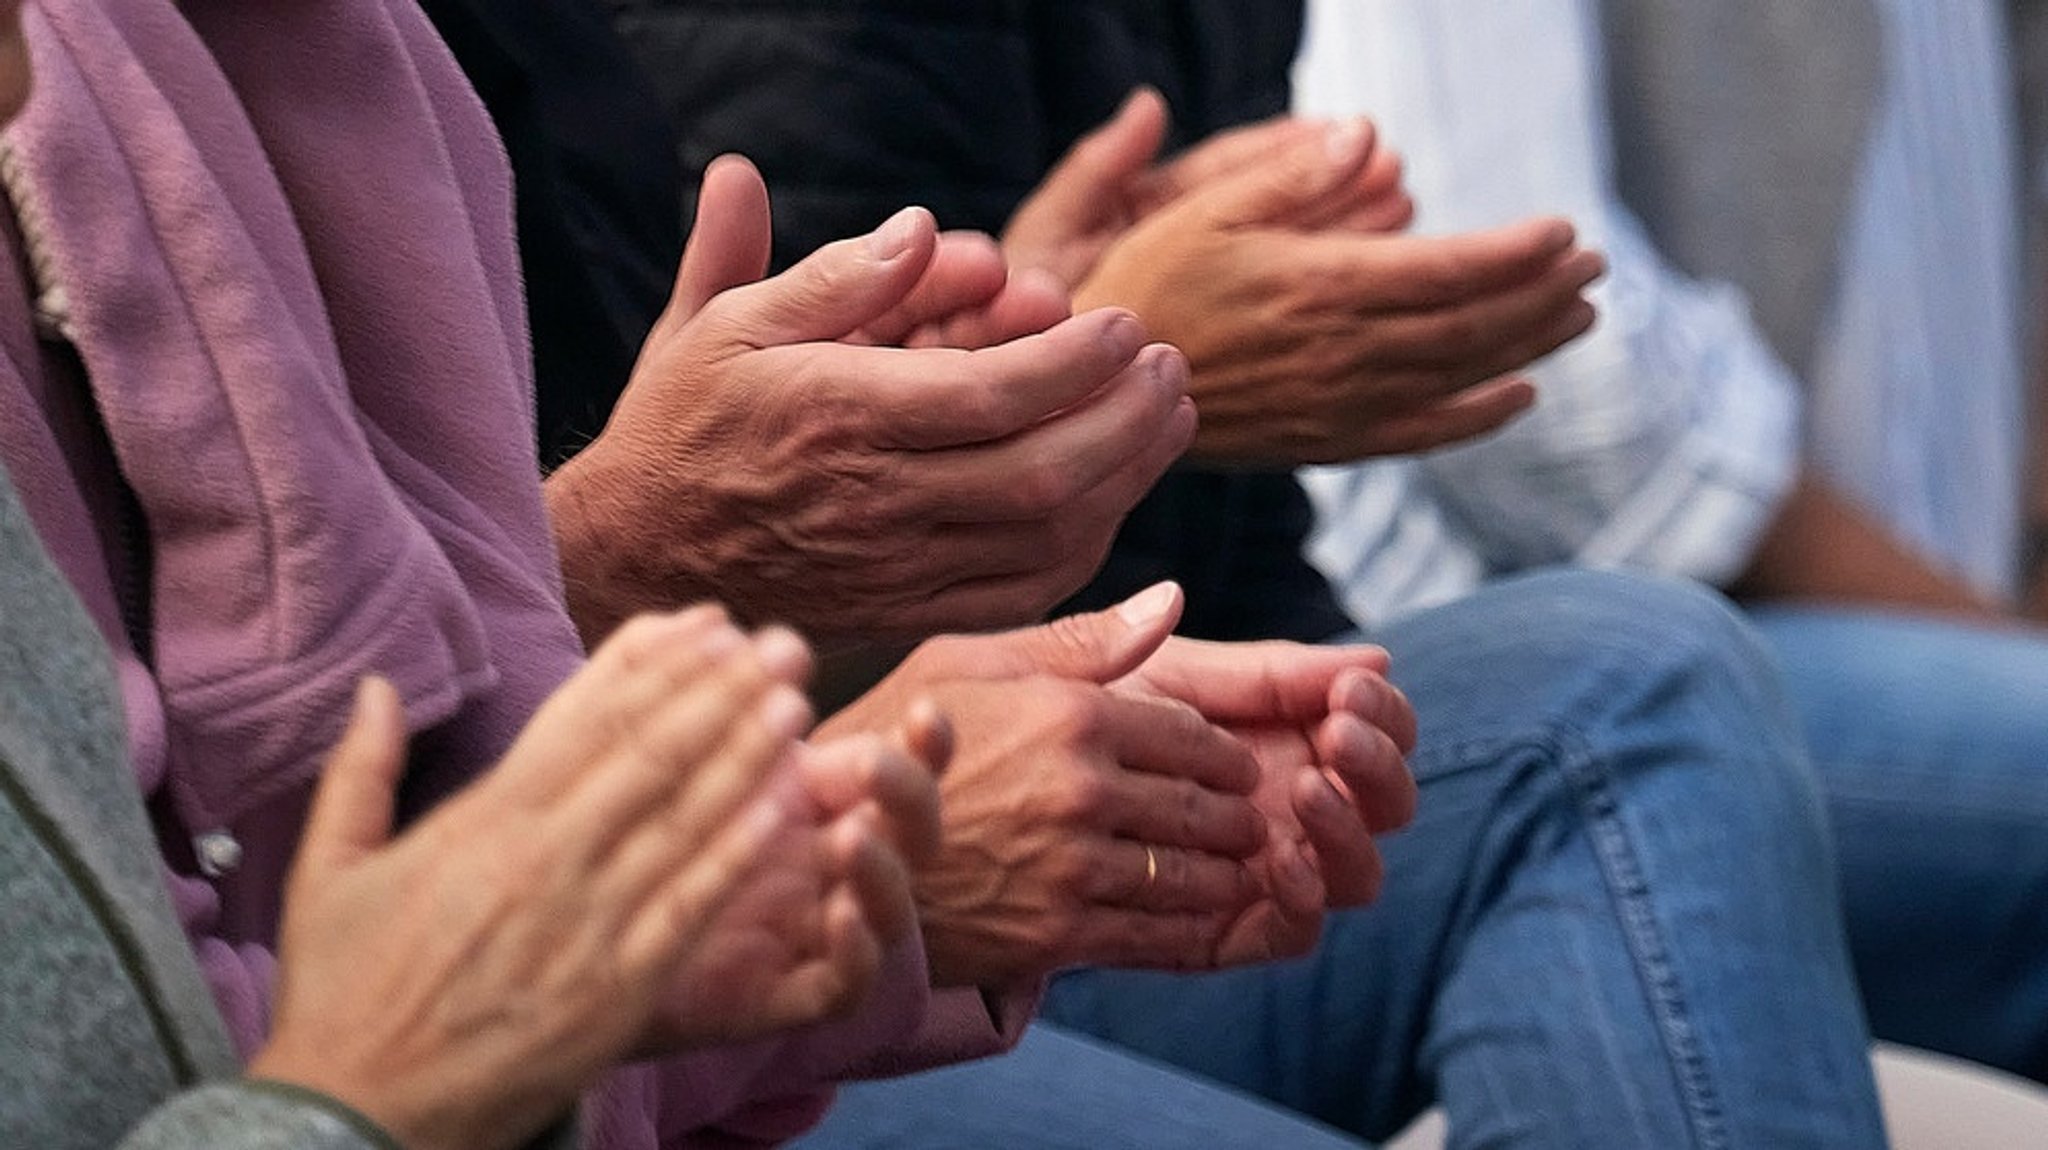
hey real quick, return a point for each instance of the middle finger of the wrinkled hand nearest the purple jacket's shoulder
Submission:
(1041, 472)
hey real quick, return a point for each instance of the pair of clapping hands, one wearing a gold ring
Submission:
(1093, 740)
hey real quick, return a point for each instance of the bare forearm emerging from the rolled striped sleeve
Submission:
(1822, 547)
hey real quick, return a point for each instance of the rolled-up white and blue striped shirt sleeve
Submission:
(1664, 439)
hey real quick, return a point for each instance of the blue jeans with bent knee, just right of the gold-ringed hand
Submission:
(1613, 924)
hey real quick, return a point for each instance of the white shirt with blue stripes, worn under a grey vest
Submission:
(1668, 437)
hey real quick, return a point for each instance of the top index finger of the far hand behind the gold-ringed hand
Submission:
(1256, 682)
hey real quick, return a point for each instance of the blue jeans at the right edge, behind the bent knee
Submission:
(1932, 748)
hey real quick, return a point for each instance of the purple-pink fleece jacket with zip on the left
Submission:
(296, 447)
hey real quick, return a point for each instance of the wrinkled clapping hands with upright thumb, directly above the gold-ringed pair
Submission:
(763, 453)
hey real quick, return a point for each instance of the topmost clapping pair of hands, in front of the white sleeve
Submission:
(1316, 335)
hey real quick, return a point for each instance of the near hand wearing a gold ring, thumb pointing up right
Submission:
(1084, 826)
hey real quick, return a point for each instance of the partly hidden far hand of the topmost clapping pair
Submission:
(1111, 181)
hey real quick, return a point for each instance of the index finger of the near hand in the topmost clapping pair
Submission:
(1435, 271)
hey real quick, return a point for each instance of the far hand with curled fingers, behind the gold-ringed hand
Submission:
(1330, 736)
